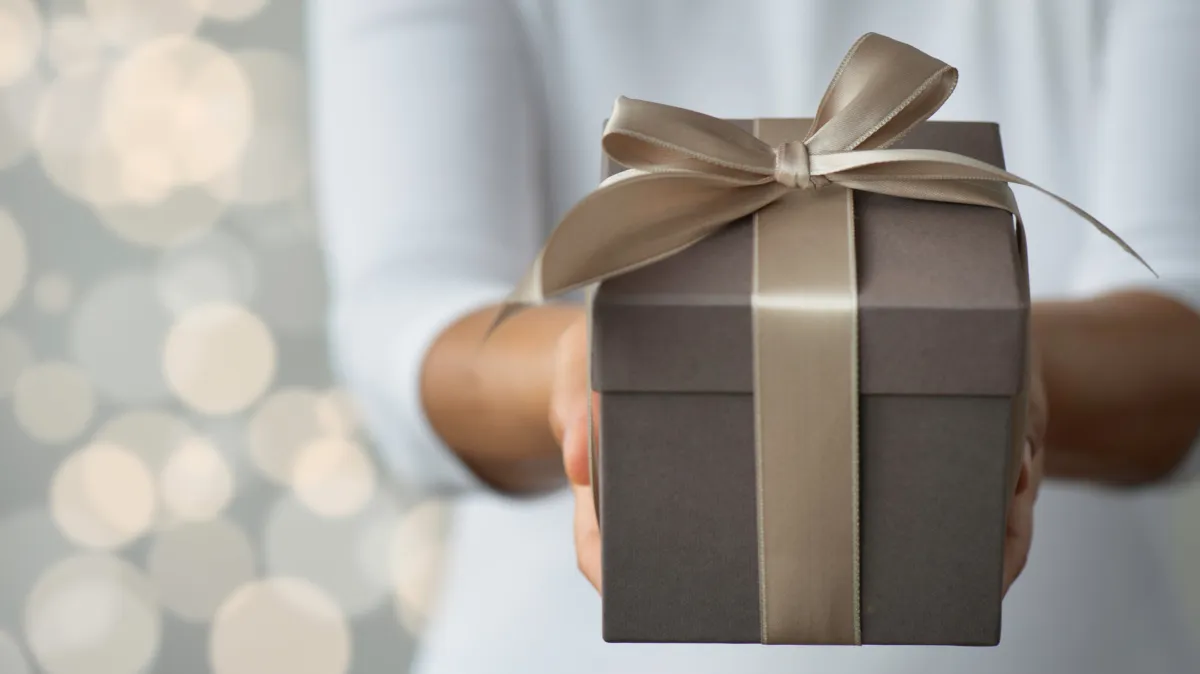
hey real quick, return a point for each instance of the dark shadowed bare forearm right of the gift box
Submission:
(1123, 376)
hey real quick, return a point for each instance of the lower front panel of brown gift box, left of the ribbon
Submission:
(680, 538)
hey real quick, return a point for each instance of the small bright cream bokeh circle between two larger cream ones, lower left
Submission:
(196, 484)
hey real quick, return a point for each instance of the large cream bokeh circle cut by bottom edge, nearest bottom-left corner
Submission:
(93, 615)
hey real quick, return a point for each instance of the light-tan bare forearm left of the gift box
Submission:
(490, 400)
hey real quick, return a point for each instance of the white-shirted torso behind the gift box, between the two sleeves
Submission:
(1094, 599)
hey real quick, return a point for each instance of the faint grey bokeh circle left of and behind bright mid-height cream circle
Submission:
(118, 335)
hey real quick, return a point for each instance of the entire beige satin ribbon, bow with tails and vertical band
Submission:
(691, 176)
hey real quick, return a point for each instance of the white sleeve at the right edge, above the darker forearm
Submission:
(1149, 157)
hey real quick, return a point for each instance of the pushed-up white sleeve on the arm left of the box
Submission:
(428, 155)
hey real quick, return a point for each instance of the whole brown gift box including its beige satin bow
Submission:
(811, 344)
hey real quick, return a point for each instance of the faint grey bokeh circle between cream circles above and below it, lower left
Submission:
(346, 558)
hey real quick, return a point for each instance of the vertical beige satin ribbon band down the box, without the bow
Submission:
(806, 312)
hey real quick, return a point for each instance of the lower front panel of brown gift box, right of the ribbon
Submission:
(934, 495)
